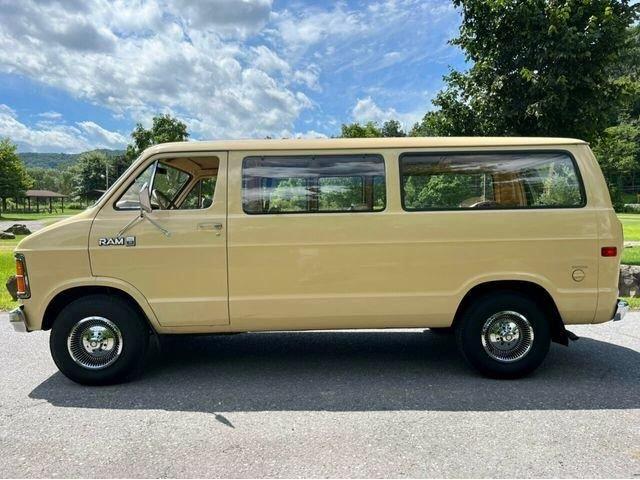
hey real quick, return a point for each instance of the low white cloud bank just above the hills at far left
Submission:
(48, 136)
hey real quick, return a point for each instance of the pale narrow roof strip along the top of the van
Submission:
(362, 143)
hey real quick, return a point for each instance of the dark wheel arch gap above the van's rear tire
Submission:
(531, 289)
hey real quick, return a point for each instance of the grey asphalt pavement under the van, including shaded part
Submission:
(345, 404)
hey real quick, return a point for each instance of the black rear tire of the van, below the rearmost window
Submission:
(520, 357)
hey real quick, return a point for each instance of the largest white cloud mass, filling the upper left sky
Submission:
(183, 64)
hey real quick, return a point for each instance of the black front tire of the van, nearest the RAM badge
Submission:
(131, 334)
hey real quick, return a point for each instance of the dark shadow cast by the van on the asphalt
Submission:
(354, 371)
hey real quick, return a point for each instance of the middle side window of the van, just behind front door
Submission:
(313, 184)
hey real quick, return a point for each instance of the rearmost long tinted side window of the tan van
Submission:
(460, 181)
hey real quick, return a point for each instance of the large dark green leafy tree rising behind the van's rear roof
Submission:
(539, 68)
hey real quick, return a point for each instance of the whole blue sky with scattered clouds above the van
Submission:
(78, 75)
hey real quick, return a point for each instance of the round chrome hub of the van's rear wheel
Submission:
(507, 336)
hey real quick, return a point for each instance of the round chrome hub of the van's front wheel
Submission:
(94, 343)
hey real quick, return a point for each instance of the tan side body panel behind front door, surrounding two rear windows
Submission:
(397, 268)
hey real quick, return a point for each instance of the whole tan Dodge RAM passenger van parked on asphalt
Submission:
(501, 241)
